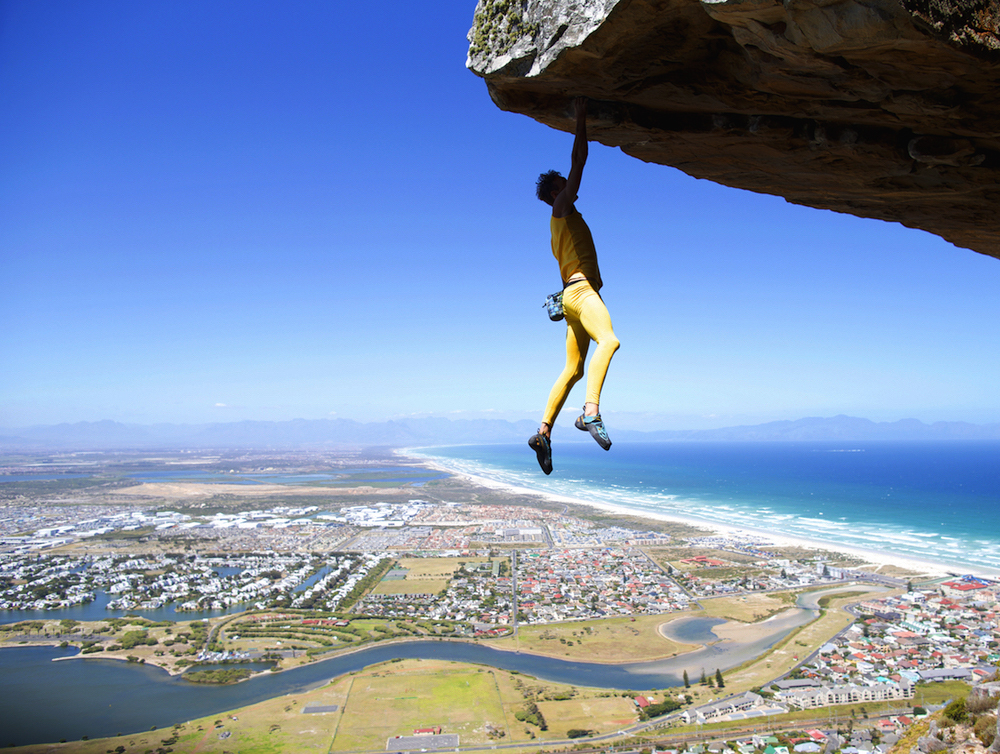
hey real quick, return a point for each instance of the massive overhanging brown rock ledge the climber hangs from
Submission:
(887, 109)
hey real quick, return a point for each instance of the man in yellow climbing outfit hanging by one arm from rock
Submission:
(587, 317)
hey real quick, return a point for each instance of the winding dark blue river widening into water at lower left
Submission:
(45, 701)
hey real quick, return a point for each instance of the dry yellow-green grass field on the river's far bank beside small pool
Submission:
(607, 640)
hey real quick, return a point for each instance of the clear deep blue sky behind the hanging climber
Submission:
(269, 210)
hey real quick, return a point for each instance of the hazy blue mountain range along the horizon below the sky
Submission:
(332, 433)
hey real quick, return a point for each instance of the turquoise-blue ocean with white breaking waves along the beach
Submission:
(937, 502)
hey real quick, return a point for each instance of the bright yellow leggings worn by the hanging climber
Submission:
(587, 319)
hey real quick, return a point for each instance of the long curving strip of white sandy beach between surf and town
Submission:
(872, 559)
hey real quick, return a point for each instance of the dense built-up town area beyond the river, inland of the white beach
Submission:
(593, 571)
